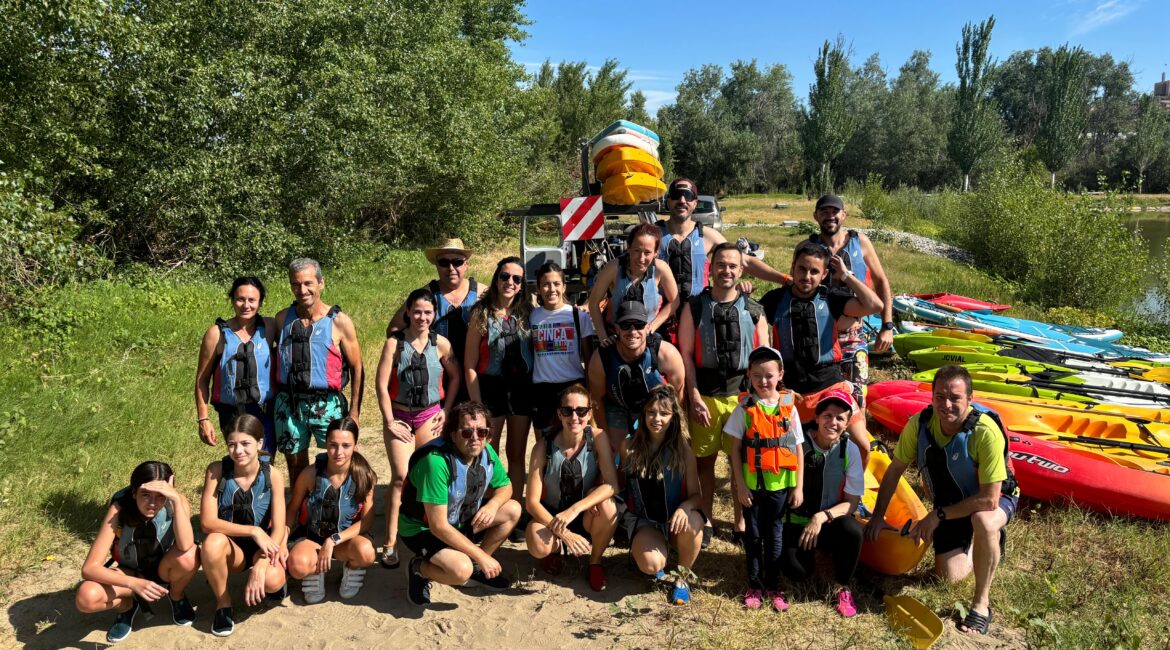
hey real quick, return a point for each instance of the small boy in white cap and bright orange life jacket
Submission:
(767, 472)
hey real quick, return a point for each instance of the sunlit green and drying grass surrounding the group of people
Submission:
(101, 377)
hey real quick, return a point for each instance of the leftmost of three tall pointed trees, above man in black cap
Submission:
(828, 123)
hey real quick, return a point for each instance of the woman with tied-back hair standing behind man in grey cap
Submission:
(639, 276)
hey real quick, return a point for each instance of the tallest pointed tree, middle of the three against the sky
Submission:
(975, 127)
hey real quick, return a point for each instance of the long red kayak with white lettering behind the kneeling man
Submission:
(1057, 473)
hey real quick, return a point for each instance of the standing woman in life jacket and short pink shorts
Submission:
(418, 382)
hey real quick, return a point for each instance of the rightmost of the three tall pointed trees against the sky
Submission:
(1066, 94)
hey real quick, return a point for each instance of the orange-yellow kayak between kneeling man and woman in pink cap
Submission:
(893, 554)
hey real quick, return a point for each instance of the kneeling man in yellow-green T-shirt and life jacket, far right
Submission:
(962, 452)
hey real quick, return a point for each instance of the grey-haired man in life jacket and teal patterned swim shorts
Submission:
(319, 354)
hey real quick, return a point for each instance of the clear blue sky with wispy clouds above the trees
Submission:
(658, 42)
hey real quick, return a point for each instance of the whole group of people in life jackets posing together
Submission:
(632, 400)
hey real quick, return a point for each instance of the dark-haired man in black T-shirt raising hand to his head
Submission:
(804, 320)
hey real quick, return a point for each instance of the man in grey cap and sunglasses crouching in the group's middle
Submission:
(621, 377)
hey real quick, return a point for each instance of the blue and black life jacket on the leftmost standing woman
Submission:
(244, 371)
